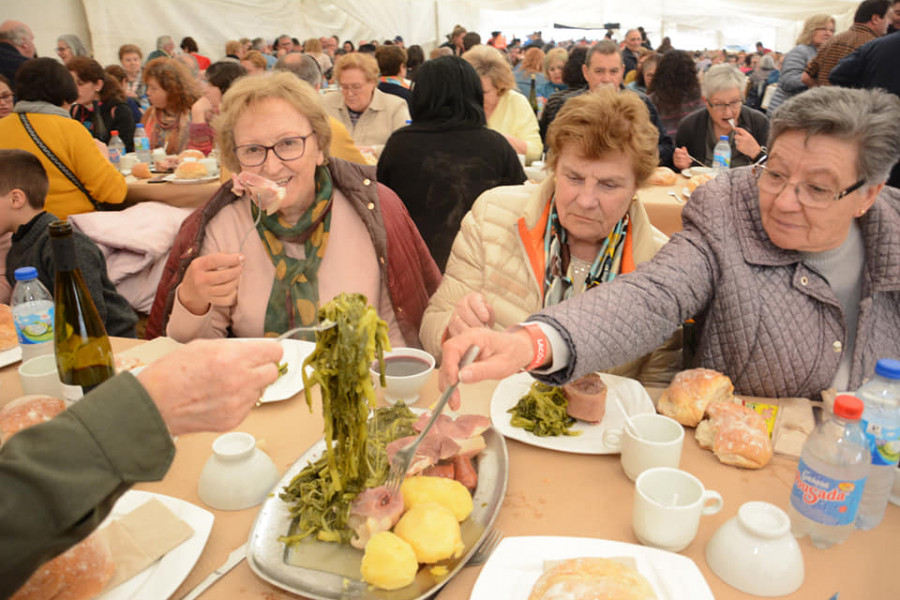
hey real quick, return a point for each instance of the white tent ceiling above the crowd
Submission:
(106, 24)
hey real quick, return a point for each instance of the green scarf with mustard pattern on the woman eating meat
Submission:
(294, 299)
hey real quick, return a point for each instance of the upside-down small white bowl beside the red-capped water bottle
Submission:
(756, 553)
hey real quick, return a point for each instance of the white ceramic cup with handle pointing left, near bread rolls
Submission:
(659, 444)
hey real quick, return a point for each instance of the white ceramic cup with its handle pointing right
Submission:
(668, 504)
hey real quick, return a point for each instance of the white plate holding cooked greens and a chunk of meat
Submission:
(631, 393)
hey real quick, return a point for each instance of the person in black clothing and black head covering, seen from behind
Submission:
(448, 156)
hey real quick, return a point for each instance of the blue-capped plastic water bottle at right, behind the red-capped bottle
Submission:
(881, 422)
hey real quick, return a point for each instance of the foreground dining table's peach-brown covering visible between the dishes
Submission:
(549, 493)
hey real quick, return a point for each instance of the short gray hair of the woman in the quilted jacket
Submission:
(868, 118)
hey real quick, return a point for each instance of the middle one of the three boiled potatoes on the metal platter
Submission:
(433, 532)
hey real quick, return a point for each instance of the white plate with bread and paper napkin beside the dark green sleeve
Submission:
(162, 578)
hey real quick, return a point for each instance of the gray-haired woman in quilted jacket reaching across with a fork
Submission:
(791, 268)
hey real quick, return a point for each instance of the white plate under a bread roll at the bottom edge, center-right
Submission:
(518, 562)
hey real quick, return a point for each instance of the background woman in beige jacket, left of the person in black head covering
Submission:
(370, 115)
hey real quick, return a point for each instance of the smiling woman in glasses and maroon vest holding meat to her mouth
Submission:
(326, 227)
